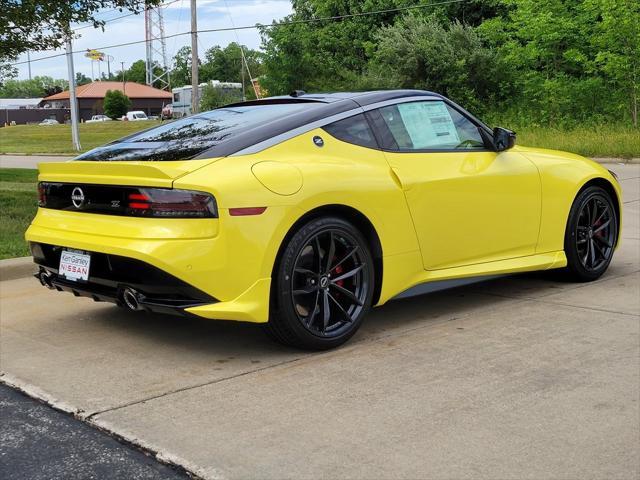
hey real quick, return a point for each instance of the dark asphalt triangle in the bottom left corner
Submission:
(40, 443)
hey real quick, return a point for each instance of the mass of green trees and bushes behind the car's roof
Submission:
(546, 62)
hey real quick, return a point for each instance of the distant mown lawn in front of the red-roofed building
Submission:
(57, 138)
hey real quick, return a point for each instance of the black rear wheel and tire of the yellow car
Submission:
(322, 286)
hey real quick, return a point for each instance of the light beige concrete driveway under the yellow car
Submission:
(521, 377)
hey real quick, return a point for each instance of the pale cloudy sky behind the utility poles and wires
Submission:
(211, 14)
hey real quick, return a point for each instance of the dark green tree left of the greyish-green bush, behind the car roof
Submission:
(329, 55)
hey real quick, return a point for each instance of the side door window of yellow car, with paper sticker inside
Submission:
(430, 125)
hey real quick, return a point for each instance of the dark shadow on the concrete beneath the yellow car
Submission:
(234, 339)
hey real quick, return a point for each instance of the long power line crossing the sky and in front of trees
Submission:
(258, 25)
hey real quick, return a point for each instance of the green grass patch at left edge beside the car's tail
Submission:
(18, 198)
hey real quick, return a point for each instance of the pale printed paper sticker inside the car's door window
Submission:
(429, 124)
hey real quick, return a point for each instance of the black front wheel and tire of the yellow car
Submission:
(591, 235)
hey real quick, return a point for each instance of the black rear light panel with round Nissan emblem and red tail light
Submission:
(129, 201)
